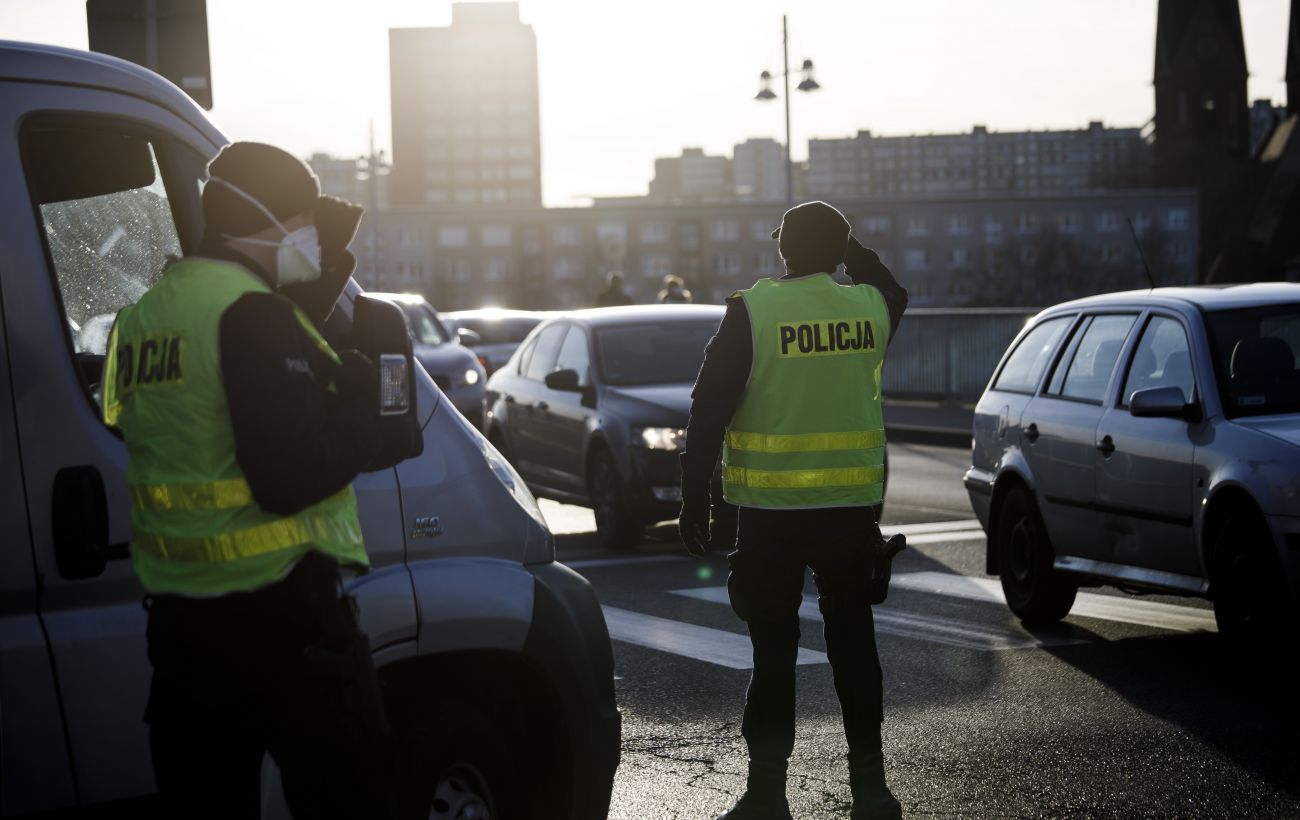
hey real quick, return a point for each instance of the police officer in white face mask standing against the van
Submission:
(244, 432)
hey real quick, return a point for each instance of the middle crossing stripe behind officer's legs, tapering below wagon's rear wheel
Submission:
(935, 630)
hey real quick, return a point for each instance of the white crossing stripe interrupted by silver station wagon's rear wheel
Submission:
(1087, 605)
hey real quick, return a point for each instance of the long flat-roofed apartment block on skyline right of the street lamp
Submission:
(981, 162)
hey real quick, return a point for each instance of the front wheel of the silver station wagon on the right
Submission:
(1251, 601)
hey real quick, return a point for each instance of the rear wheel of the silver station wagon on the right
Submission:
(1035, 592)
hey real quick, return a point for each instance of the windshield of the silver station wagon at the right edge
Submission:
(1255, 359)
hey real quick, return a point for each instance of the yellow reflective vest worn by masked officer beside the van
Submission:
(197, 528)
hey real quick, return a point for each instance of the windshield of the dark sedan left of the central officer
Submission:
(658, 354)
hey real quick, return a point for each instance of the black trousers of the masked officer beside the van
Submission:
(284, 670)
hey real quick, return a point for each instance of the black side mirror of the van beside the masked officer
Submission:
(380, 332)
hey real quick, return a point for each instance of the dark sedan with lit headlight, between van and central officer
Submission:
(593, 407)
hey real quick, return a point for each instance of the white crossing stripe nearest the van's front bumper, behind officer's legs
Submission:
(723, 649)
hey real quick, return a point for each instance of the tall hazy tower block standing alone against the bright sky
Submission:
(466, 119)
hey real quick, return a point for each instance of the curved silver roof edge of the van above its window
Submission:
(38, 63)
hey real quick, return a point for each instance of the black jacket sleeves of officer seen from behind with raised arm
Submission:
(729, 361)
